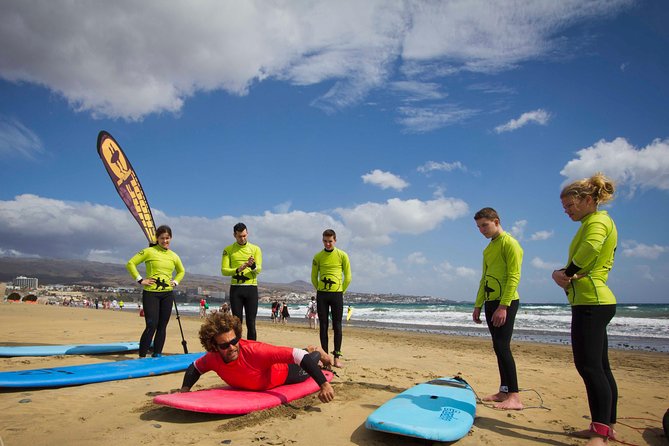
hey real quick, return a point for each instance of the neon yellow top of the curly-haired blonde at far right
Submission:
(592, 250)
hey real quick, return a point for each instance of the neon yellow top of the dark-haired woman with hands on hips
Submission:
(160, 265)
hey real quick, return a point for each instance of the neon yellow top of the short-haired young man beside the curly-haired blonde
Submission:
(502, 262)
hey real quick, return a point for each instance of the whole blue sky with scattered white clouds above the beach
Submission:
(391, 122)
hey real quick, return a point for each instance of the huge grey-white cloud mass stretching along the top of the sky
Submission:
(151, 56)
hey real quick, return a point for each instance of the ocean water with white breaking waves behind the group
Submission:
(635, 327)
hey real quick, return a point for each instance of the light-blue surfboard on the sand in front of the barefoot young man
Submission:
(439, 410)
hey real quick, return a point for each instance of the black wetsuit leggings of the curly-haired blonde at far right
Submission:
(590, 345)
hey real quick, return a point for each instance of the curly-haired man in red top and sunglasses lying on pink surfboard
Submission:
(252, 365)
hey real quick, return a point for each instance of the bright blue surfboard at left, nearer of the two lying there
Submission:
(93, 373)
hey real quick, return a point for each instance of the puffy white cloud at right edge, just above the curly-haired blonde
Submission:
(646, 168)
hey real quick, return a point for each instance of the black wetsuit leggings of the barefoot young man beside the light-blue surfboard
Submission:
(501, 342)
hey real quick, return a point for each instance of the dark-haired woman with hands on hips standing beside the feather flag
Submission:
(157, 296)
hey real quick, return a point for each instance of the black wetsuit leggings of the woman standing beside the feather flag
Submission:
(157, 312)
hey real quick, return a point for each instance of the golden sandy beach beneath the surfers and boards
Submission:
(378, 365)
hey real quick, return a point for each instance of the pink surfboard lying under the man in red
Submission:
(230, 401)
